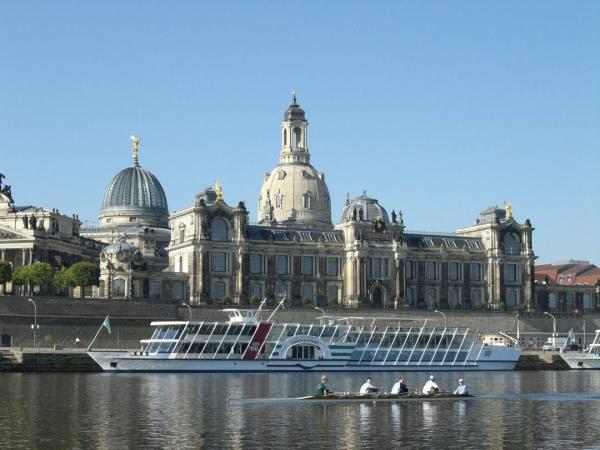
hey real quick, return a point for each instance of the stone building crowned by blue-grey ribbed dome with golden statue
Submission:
(134, 223)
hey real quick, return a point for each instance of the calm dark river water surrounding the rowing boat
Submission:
(113, 411)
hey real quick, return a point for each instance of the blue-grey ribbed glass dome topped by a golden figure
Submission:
(134, 196)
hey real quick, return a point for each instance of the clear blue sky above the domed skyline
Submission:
(439, 109)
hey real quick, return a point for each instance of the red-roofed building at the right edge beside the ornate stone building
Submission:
(567, 286)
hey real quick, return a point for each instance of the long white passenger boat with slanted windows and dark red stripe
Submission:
(248, 343)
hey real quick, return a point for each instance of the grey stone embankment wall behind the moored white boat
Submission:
(62, 321)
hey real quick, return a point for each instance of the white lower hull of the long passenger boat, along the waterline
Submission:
(125, 362)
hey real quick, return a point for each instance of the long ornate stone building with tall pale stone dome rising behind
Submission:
(368, 258)
